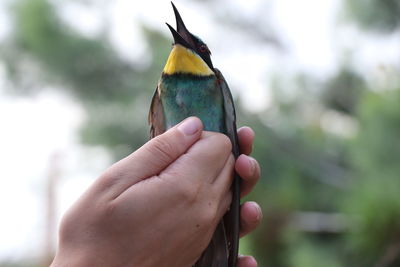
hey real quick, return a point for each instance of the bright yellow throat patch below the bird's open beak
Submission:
(183, 60)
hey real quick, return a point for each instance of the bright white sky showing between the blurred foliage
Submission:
(33, 129)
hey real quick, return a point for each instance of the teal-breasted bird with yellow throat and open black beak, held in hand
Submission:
(191, 86)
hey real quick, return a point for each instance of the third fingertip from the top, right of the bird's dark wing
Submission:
(250, 217)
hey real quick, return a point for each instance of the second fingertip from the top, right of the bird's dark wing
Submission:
(249, 169)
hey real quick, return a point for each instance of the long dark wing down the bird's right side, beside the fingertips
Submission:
(231, 218)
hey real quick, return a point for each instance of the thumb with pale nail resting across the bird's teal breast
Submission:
(155, 155)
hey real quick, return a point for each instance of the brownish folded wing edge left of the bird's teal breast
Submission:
(156, 115)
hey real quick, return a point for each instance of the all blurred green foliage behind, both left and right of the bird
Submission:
(305, 166)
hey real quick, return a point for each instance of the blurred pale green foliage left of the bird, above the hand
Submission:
(90, 70)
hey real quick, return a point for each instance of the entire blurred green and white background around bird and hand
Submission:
(318, 81)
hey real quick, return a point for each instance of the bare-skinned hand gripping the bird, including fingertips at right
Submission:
(160, 205)
